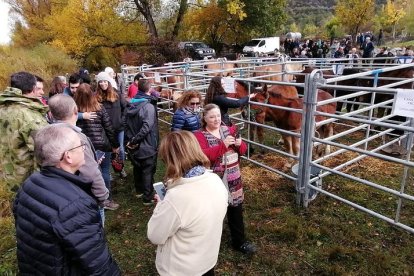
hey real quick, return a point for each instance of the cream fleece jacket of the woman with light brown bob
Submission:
(187, 225)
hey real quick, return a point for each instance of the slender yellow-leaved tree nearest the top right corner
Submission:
(391, 13)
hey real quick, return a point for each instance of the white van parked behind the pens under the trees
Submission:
(262, 46)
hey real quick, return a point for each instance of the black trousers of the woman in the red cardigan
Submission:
(236, 225)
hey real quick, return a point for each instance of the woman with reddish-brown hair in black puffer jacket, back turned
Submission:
(99, 131)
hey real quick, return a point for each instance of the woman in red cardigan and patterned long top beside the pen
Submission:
(223, 148)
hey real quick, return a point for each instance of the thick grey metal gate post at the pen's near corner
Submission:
(307, 132)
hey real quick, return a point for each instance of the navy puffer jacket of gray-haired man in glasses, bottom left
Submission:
(58, 228)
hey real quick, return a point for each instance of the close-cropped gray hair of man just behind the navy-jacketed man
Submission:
(62, 107)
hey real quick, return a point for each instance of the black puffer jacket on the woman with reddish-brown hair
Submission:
(100, 131)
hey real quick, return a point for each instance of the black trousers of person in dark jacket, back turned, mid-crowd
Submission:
(144, 170)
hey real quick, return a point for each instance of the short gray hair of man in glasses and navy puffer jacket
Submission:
(52, 141)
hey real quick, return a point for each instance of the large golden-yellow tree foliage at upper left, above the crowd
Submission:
(82, 27)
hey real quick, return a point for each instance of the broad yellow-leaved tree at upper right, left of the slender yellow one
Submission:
(354, 14)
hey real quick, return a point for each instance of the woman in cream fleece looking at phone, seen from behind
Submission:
(187, 224)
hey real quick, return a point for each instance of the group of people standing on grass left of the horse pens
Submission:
(57, 153)
